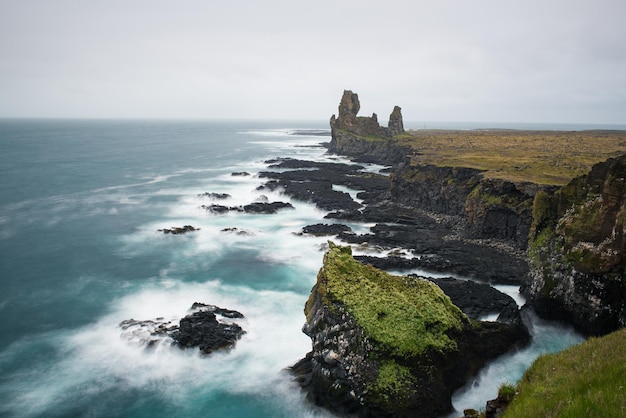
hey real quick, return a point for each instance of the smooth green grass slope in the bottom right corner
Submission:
(587, 380)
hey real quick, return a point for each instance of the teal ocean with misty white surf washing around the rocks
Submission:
(81, 203)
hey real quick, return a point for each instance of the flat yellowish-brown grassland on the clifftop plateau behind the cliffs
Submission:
(542, 157)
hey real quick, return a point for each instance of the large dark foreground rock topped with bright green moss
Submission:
(388, 345)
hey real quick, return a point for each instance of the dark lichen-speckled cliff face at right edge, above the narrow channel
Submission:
(577, 250)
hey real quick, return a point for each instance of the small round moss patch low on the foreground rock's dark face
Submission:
(394, 383)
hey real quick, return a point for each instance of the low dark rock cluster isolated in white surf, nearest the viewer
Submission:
(201, 328)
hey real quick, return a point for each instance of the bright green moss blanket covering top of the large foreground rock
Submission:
(406, 316)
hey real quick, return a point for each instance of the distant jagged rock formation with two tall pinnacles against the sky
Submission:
(361, 137)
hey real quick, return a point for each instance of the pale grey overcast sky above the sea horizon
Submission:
(561, 61)
